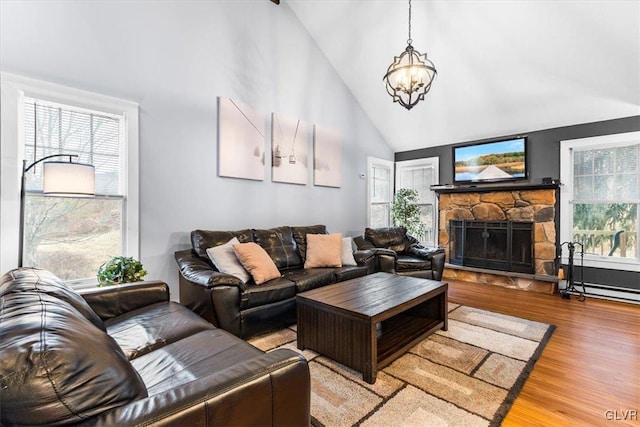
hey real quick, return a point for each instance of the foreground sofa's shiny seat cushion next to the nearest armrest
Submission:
(195, 356)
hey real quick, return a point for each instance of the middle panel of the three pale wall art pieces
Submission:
(289, 150)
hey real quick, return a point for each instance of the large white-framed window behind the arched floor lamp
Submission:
(71, 237)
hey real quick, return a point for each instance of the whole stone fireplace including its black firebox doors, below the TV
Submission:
(501, 207)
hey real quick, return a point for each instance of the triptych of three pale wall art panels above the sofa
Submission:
(241, 147)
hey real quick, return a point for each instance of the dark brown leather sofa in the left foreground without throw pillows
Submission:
(125, 355)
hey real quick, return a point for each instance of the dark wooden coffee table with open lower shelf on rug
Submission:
(368, 322)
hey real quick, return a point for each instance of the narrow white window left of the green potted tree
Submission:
(380, 192)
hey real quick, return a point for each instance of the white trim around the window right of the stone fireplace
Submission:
(566, 191)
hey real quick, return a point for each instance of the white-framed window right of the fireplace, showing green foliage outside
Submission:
(600, 198)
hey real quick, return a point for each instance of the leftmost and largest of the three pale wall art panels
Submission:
(241, 142)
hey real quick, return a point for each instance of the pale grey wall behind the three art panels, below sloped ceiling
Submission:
(175, 59)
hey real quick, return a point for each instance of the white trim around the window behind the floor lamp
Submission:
(13, 88)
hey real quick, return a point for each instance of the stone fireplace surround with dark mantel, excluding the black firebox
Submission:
(535, 203)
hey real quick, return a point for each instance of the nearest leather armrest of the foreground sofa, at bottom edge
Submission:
(275, 385)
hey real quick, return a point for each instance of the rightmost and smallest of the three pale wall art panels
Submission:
(327, 157)
